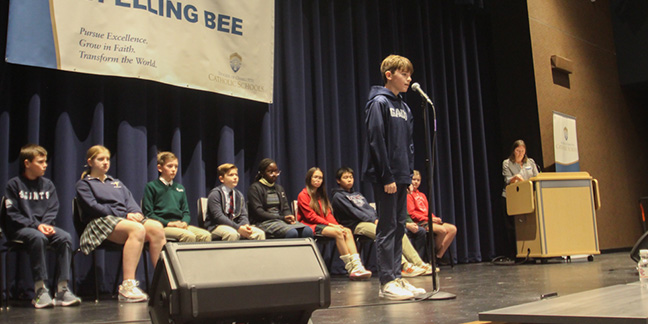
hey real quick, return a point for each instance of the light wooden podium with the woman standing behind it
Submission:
(555, 214)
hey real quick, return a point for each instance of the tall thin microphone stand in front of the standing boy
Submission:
(429, 163)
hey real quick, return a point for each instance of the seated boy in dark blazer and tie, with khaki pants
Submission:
(226, 211)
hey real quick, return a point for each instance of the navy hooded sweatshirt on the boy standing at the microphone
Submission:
(389, 150)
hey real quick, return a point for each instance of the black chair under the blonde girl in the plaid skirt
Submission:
(106, 245)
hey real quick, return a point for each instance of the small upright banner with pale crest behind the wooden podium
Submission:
(565, 143)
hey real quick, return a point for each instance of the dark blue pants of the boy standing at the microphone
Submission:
(392, 214)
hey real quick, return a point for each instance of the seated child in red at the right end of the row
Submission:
(417, 207)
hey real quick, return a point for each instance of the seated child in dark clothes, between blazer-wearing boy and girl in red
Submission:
(268, 205)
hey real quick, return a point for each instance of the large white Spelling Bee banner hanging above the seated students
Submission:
(224, 46)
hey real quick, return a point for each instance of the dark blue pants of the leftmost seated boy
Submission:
(36, 244)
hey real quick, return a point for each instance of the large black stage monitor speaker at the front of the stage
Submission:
(271, 281)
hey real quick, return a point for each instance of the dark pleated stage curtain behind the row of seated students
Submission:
(327, 55)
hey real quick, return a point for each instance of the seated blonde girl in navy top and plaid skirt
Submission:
(110, 212)
